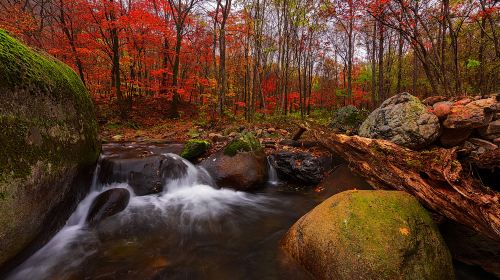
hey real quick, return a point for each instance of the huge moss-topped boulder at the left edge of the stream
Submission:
(48, 135)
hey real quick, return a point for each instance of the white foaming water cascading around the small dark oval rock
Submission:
(188, 203)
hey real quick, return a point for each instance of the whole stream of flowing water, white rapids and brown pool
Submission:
(191, 230)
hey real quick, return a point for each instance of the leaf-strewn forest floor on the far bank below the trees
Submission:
(147, 123)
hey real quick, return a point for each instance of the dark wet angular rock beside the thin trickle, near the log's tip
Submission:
(300, 168)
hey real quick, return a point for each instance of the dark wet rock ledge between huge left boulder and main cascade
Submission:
(145, 175)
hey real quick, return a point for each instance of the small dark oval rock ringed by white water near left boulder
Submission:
(107, 204)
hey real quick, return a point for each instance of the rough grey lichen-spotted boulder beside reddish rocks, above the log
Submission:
(404, 120)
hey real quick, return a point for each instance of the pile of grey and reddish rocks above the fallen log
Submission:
(471, 123)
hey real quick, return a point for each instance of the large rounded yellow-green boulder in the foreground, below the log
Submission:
(369, 235)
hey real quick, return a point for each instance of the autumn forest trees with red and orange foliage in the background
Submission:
(252, 57)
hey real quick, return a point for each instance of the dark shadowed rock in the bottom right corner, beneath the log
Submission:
(470, 247)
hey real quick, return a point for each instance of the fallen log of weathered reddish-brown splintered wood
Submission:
(435, 177)
